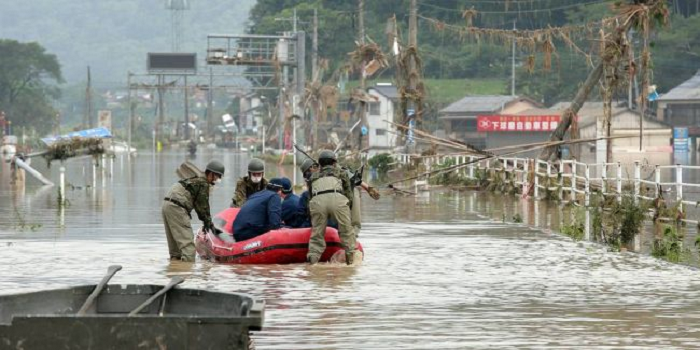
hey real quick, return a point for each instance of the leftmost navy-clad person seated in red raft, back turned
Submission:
(260, 213)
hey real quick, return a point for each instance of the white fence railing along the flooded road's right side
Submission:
(574, 181)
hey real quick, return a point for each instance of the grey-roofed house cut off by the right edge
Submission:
(680, 107)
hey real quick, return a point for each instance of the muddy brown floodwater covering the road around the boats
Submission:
(439, 272)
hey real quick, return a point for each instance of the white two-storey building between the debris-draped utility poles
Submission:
(382, 135)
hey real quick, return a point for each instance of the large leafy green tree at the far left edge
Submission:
(27, 77)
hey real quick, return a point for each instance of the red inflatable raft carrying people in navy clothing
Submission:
(283, 246)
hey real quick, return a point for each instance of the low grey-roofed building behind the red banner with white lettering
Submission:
(460, 119)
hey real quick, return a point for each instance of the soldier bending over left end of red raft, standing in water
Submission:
(185, 195)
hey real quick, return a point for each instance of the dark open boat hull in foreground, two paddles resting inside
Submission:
(181, 319)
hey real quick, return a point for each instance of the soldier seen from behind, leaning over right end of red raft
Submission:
(331, 195)
